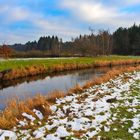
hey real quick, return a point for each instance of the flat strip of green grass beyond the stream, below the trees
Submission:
(13, 64)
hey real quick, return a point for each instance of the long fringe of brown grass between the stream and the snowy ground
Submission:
(15, 108)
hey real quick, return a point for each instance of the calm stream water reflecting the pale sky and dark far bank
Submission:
(29, 86)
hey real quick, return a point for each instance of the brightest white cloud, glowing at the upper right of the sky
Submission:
(95, 12)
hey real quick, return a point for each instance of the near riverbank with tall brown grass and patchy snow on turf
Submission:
(107, 107)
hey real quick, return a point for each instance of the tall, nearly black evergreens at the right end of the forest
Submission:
(126, 41)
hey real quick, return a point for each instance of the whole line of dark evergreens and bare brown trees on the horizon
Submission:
(124, 41)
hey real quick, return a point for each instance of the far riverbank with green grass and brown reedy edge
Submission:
(14, 69)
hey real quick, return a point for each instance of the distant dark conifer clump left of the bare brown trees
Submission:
(47, 43)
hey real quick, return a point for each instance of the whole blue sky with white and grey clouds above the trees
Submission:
(27, 20)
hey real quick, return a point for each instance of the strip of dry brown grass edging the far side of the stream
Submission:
(34, 70)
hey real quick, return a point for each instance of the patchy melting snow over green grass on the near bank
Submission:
(109, 110)
